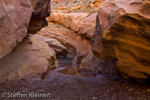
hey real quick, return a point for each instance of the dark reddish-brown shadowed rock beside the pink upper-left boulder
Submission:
(40, 10)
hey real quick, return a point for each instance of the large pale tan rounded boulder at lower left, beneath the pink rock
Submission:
(30, 58)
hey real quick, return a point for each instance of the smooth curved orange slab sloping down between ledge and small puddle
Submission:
(76, 44)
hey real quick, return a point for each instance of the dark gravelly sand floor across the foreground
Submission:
(76, 87)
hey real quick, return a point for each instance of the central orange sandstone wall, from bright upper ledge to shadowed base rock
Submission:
(75, 32)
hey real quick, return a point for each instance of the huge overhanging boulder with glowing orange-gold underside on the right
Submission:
(123, 34)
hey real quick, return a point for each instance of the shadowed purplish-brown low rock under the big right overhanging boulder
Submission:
(98, 66)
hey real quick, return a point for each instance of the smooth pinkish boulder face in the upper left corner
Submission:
(14, 18)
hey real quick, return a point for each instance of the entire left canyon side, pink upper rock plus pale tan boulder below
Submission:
(23, 55)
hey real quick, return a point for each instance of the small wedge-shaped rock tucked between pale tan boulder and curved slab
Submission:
(56, 46)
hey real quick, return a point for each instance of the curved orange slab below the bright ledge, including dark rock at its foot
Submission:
(80, 47)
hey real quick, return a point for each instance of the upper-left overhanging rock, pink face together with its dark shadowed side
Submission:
(15, 16)
